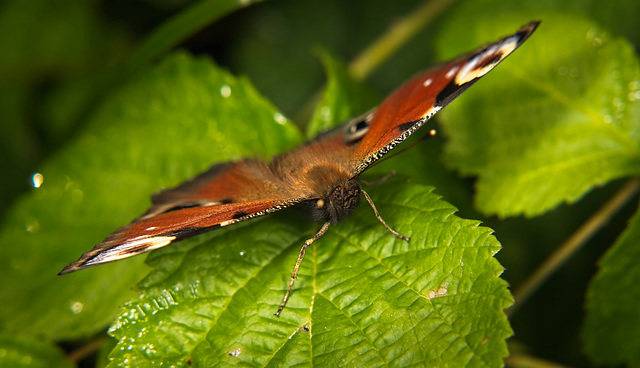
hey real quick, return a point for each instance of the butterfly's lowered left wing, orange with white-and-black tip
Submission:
(224, 195)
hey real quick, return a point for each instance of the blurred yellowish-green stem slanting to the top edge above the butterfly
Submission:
(395, 37)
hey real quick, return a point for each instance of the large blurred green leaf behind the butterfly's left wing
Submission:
(163, 128)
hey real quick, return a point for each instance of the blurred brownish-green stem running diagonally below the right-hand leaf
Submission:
(574, 243)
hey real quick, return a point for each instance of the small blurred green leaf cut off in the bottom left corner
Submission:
(23, 352)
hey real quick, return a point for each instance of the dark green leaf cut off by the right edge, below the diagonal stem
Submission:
(612, 323)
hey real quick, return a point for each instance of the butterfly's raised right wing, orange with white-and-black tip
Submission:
(415, 102)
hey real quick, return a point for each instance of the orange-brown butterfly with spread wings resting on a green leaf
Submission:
(321, 175)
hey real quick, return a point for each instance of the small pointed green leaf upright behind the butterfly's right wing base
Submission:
(343, 98)
